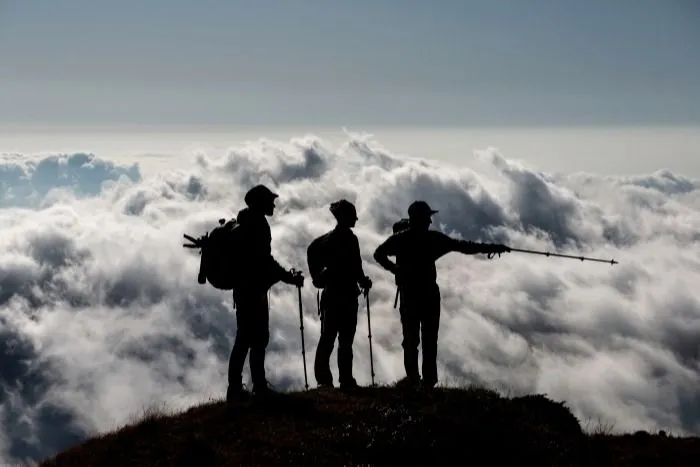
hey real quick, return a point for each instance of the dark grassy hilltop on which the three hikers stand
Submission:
(376, 426)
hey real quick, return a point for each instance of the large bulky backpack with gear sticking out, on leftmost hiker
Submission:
(218, 250)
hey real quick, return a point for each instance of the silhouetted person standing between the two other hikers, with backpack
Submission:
(335, 265)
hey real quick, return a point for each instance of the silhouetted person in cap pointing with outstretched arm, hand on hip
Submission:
(416, 249)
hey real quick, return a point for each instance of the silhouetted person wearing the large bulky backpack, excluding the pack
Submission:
(262, 271)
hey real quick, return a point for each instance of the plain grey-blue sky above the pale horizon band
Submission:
(495, 62)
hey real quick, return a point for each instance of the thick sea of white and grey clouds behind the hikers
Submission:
(102, 317)
